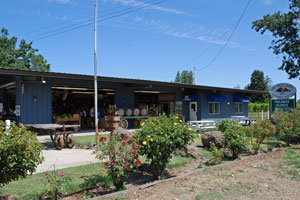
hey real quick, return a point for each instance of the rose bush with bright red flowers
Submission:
(121, 154)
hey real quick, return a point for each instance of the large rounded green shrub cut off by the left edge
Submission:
(19, 153)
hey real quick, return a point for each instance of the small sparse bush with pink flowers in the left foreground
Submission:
(55, 181)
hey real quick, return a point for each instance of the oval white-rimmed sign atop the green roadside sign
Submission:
(282, 91)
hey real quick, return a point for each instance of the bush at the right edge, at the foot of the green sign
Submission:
(288, 125)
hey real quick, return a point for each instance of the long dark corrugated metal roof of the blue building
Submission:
(120, 80)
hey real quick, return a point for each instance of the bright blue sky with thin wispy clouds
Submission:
(152, 43)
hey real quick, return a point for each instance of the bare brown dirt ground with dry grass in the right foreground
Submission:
(264, 176)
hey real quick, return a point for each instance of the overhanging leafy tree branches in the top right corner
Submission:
(285, 28)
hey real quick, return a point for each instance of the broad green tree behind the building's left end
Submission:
(22, 58)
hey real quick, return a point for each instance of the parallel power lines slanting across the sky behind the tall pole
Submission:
(88, 23)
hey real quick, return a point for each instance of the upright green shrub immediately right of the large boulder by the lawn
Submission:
(235, 139)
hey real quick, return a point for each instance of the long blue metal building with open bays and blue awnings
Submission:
(27, 96)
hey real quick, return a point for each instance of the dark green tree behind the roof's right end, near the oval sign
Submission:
(259, 82)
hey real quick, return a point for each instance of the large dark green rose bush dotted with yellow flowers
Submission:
(161, 137)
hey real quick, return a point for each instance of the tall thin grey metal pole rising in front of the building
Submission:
(95, 72)
